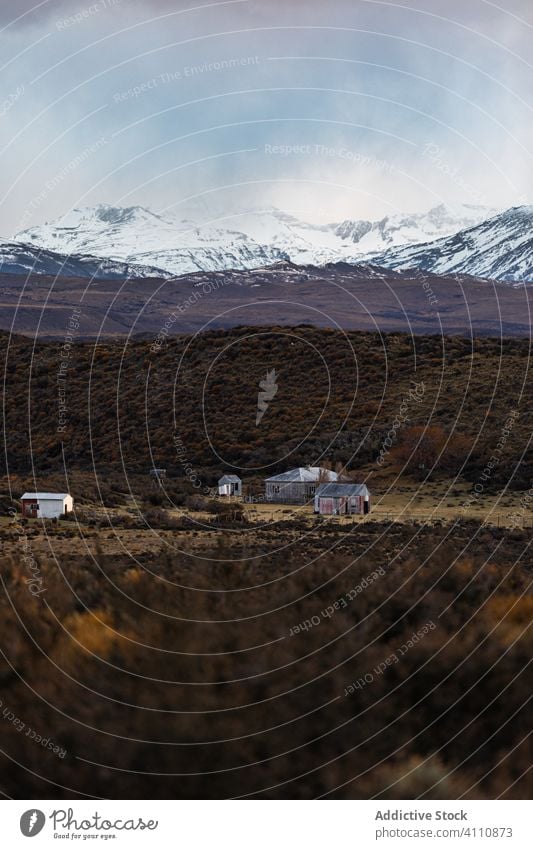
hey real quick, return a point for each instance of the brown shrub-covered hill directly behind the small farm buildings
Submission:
(192, 402)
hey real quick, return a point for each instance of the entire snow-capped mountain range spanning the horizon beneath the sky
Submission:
(112, 242)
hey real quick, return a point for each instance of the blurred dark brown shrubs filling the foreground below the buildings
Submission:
(171, 675)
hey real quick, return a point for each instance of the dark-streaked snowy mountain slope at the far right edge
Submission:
(500, 248)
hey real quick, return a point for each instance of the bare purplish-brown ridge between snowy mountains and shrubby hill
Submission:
(337, 295)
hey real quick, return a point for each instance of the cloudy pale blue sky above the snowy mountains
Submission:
(327, 110)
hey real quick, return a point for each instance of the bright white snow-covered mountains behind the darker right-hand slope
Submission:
(136, 236)
